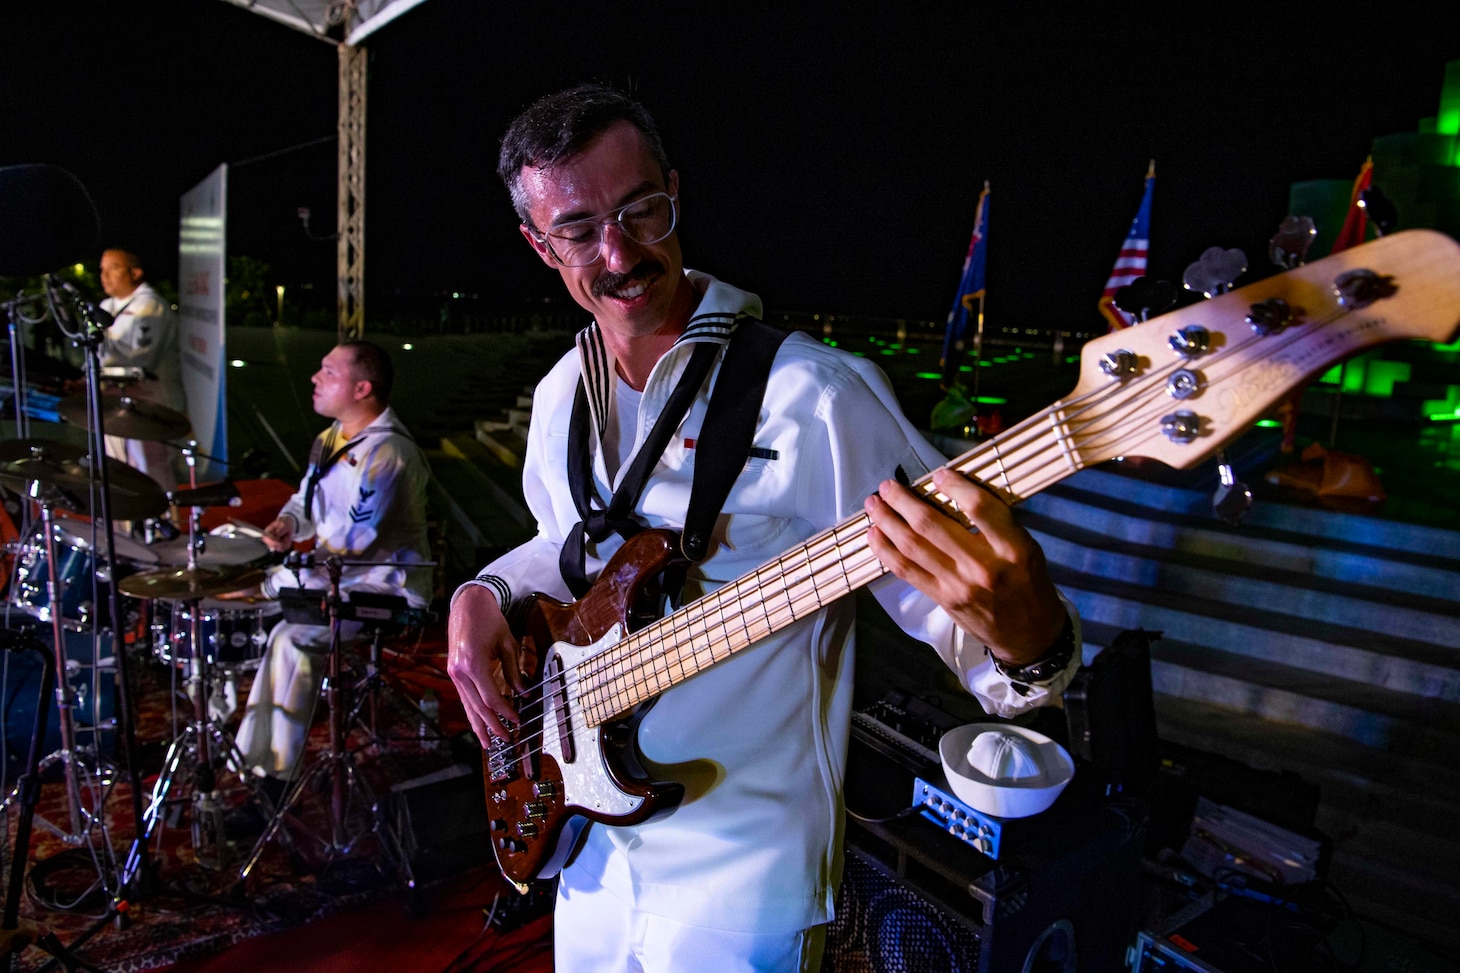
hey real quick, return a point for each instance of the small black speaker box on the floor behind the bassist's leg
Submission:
(440, 822)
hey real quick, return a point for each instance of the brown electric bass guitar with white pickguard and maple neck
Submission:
(1175, 389)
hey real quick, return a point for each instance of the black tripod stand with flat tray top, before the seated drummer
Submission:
(348, 787)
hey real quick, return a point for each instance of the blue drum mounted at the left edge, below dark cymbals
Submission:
(75, 569)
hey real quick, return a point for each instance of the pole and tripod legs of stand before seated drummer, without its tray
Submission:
(350, 793)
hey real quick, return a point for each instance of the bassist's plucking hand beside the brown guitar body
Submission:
(484, 663)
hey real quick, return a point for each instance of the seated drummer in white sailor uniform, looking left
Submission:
(363, 499)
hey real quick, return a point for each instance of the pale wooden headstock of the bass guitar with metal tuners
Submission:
(1183, 385)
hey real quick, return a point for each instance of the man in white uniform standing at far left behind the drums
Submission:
(144, 335)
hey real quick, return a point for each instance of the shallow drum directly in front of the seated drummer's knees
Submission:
(234, 633)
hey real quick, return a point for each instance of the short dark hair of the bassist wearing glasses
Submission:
(558, 128)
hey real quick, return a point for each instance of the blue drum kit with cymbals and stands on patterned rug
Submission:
(96, 587)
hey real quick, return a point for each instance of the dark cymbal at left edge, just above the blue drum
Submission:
(64, 474)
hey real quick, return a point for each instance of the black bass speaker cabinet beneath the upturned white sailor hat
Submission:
(1062, 898)
